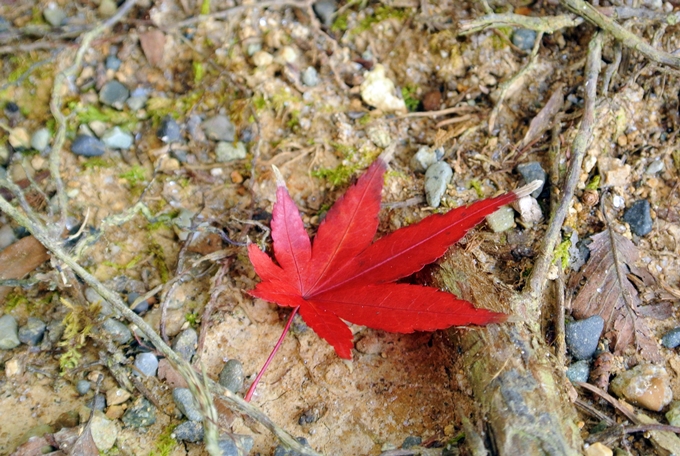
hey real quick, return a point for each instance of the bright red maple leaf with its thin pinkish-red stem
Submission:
(344, 275)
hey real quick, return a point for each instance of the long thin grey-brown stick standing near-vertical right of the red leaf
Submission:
(539, 275)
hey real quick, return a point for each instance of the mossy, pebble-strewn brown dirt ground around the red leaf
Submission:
(251, 63)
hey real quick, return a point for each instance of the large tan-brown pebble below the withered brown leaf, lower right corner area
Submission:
(646, 385)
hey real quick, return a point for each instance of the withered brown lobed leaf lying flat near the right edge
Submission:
(607, 291)
